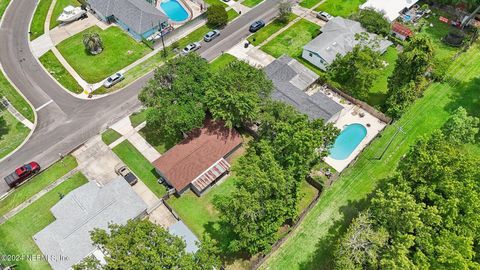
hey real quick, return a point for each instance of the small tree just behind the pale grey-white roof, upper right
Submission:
(373, 21)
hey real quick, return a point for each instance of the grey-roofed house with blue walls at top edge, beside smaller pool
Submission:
(138, 17)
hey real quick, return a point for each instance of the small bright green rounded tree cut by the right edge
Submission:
(461, 128)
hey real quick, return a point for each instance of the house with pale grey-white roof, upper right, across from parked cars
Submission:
(339, 36)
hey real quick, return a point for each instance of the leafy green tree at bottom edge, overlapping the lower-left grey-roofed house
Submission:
(140, 244)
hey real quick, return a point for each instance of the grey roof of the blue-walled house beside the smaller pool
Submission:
(139, 15)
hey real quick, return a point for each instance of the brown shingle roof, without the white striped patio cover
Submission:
(191, 157)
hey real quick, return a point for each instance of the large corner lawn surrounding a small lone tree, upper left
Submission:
(119, 51)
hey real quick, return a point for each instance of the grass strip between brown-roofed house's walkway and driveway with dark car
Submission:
(140, 166)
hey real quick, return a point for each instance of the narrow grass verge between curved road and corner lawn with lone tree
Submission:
(58, 71)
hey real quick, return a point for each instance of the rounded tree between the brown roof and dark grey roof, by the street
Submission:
(237, 93)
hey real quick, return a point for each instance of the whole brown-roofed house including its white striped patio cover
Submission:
(199, 160)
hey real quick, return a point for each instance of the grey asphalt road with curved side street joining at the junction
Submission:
(63, 121)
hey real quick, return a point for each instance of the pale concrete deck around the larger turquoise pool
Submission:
(351, 115)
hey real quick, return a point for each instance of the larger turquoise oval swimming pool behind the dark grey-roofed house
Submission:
(347, 141)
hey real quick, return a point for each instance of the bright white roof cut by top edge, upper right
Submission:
(391, 8)
